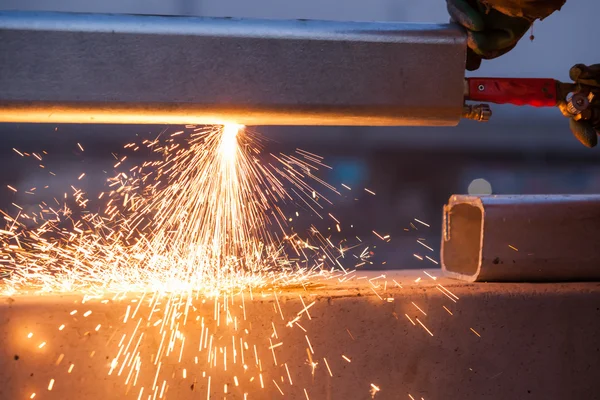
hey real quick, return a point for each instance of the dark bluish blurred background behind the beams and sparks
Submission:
(413, 171)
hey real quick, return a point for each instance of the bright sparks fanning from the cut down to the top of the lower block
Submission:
(207, 215)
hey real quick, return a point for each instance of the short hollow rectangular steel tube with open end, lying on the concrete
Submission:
(522, 238)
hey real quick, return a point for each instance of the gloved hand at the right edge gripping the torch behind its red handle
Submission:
(585, 126)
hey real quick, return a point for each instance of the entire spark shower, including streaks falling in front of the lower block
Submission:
(204, 223)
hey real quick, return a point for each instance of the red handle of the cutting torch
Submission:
(518, 91)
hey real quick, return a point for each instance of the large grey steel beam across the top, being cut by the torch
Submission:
(60, 67)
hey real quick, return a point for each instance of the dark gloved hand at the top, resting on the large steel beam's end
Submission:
(491, 33)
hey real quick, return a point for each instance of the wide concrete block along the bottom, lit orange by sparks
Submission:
(381, 335)
